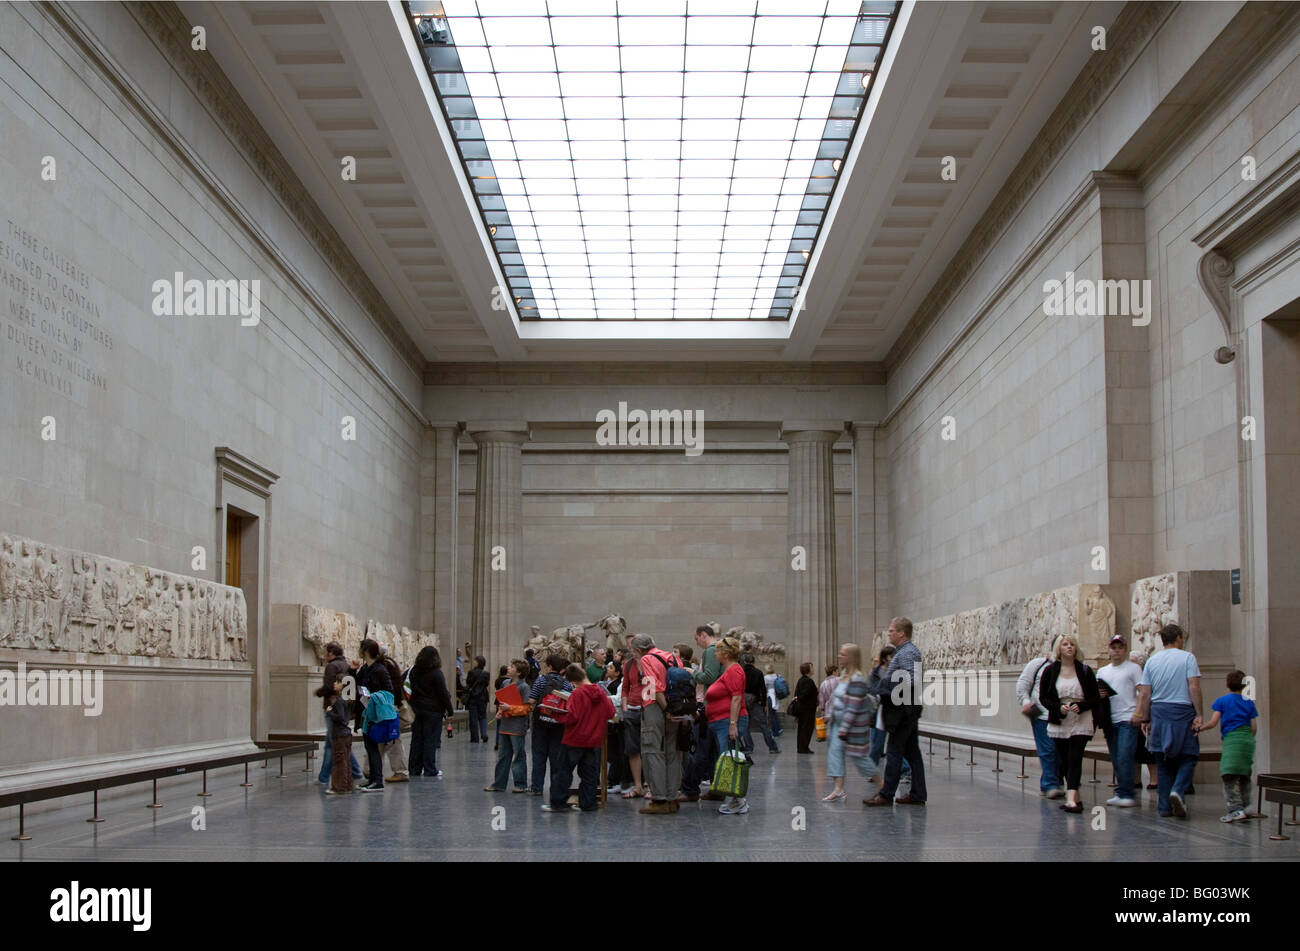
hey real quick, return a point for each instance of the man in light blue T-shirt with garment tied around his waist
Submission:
(1169, 711)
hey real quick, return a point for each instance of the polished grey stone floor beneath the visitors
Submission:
(973, 815)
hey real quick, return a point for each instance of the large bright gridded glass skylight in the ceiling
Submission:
(653, 160)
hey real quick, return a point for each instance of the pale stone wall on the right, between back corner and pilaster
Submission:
(1017, 501)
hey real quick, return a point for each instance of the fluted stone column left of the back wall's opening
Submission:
(496, 626)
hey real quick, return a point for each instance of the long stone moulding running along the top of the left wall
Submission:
(170, 33)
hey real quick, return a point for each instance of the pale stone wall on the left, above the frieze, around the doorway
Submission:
(132, 471)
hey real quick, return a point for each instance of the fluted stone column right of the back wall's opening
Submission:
(812, 611)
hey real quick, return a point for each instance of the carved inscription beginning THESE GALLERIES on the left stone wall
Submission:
(54, 328)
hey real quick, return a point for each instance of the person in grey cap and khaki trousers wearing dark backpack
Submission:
(661, 676)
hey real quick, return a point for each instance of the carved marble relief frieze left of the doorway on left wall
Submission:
(55, 600)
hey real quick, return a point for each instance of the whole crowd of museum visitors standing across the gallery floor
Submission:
(664, 719)
